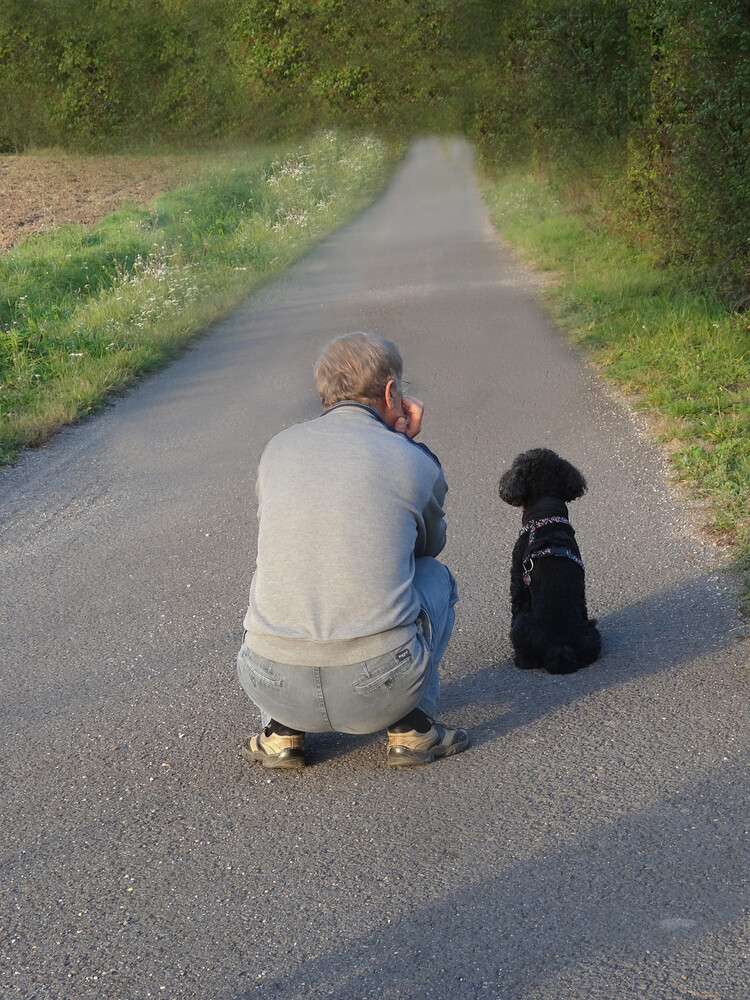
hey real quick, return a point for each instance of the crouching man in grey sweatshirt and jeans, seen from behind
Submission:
(350, 612)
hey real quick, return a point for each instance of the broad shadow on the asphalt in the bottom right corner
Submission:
(639, 900)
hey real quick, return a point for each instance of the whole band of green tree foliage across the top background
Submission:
(660, 88)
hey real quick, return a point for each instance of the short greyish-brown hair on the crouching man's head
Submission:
(357, 366)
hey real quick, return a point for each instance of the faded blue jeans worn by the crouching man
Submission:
(361, 697)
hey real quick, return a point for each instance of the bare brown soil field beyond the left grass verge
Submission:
(40, 191)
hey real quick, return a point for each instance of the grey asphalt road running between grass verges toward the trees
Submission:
(591, 844)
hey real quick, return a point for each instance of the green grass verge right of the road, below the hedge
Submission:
(681, 356)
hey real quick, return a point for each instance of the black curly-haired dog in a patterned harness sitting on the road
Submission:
(550, 626)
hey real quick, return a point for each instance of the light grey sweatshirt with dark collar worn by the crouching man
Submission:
(345, 505)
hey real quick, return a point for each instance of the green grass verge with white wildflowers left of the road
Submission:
(86, 310)
